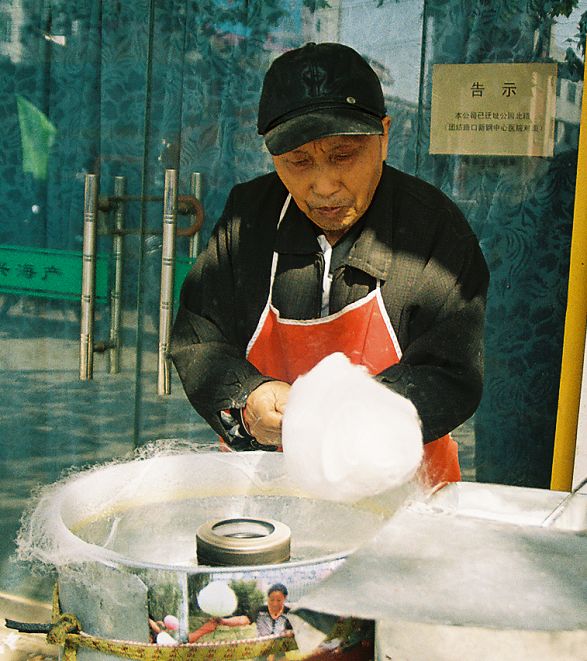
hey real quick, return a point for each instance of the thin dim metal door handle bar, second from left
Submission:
(116, 293)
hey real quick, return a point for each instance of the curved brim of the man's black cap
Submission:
(317, 124)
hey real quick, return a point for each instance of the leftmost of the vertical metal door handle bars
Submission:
(88, 278)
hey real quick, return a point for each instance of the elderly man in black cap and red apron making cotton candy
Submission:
(334, 251)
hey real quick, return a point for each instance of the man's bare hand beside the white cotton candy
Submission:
(264, 411)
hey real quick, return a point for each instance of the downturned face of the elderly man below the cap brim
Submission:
(333, 180)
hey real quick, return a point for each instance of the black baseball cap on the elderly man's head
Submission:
(316, 91)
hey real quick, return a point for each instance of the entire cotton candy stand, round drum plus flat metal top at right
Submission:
(470, 571)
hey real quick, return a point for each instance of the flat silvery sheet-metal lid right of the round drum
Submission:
(452, 570)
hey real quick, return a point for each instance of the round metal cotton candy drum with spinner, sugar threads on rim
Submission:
(125, 540)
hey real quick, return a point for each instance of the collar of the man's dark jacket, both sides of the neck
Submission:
(370, 252)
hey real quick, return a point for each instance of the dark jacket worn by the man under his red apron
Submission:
(414, 240)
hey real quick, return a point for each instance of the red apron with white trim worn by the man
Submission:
(285, 349)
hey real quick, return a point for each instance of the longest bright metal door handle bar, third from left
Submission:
(167, 273)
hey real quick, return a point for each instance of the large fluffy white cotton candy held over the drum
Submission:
(346, 436)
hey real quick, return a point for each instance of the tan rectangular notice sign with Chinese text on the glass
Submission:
(493, 109)
